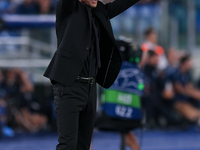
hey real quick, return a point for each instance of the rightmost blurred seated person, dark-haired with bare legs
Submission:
(185, 92)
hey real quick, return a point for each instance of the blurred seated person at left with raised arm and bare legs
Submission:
(24, 108)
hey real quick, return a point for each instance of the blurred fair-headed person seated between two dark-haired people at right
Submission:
(166, 90)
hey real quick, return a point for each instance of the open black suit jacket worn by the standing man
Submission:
(74, 18)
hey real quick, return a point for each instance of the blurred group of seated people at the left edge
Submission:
(20, 109)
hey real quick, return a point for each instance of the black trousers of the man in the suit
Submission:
(75, 107)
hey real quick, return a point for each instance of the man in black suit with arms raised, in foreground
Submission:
(87, 54)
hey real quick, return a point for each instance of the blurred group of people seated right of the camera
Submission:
(170, 97)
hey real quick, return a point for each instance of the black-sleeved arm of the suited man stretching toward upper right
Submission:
(118, 6)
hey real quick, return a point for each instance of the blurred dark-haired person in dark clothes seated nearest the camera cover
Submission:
(152, 98)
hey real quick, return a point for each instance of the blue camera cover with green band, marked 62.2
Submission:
(122, 100)
